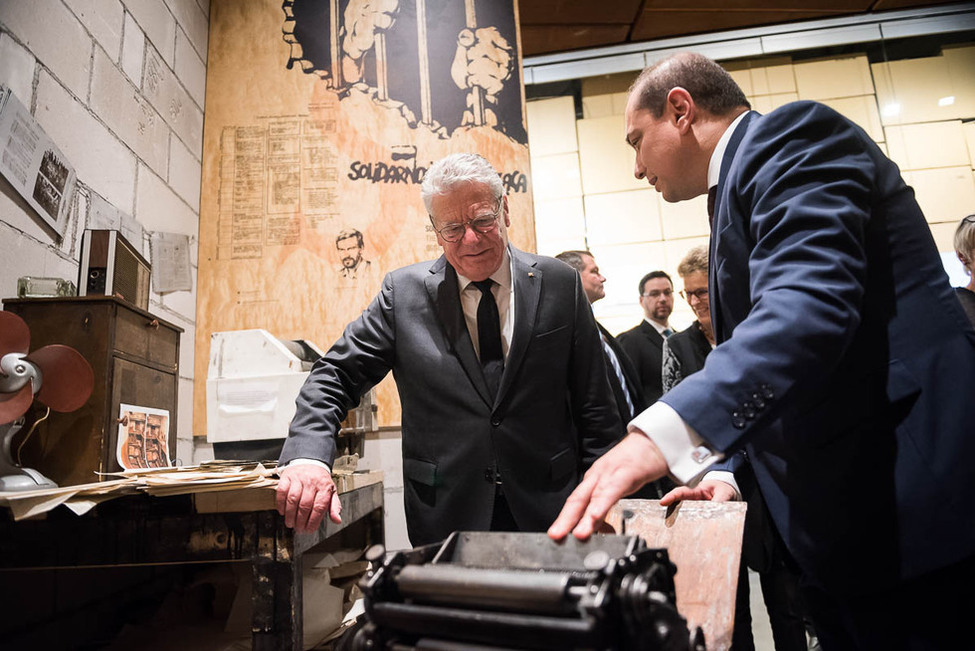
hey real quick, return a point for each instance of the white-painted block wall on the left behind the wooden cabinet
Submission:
(118, 85)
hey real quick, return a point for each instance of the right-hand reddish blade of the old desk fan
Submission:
(66, 377)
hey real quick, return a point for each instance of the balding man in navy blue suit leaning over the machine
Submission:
(841, 361)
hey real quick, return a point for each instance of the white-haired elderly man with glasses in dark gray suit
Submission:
(499, 368)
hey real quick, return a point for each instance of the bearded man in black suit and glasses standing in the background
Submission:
(644, 343)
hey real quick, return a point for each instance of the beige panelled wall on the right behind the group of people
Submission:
(920, 111)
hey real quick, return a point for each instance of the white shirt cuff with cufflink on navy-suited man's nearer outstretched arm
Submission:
(687, 455)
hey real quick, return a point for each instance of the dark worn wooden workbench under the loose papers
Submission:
(139, 530)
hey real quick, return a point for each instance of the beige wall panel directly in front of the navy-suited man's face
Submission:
(606, 160)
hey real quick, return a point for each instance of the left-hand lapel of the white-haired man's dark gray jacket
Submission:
(443, 289)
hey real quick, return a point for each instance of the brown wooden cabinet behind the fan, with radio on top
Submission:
(135, 357)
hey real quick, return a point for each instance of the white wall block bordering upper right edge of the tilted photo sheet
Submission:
(100, 159)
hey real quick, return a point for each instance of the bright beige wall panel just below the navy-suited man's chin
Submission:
(623, 217)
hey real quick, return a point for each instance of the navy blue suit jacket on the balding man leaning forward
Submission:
(845, 365)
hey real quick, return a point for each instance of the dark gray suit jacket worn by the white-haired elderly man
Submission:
(552, 417)
